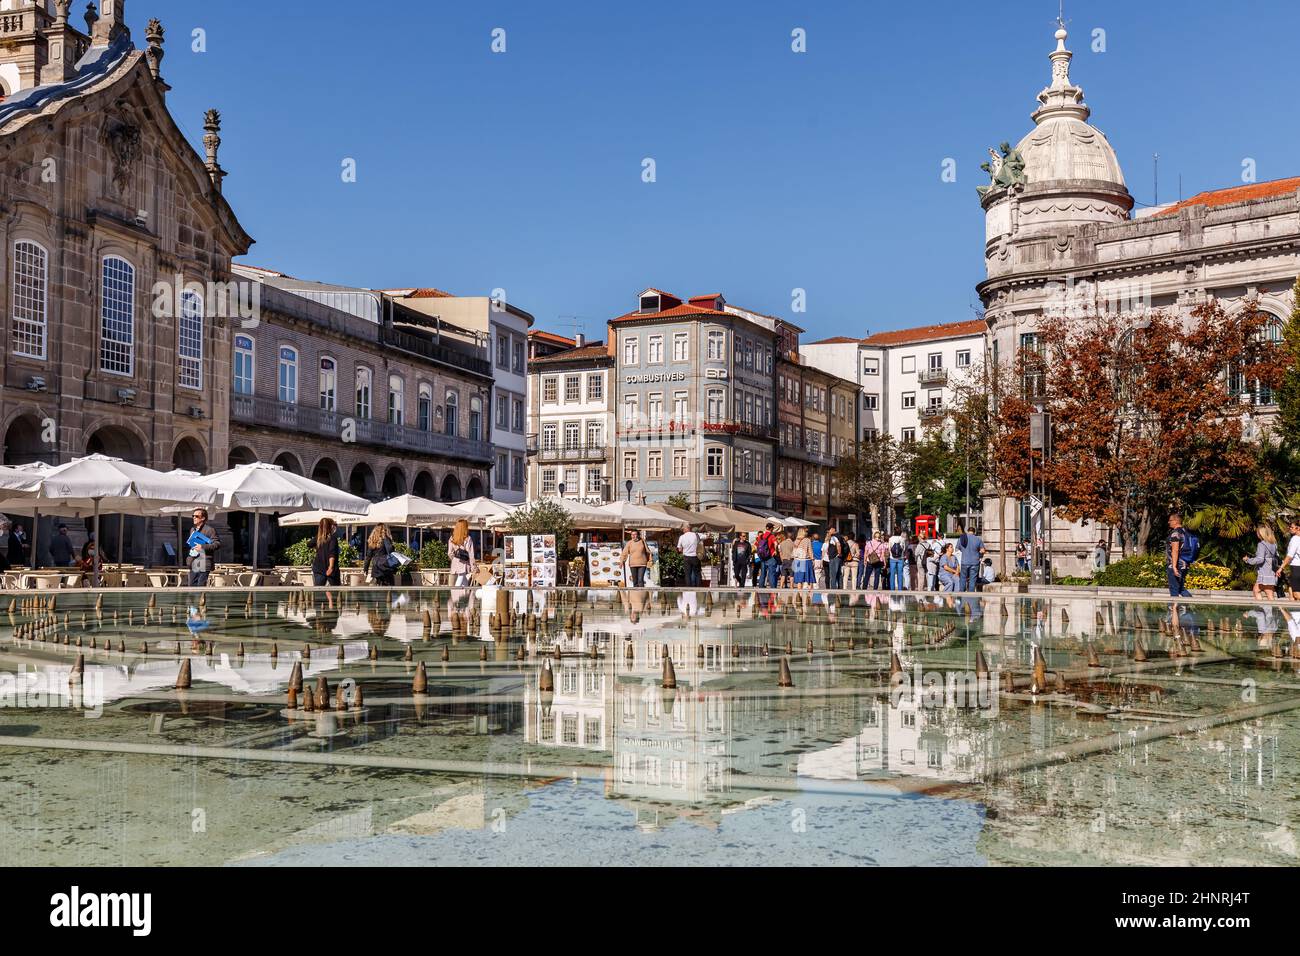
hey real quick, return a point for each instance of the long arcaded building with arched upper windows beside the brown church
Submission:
(350, 388)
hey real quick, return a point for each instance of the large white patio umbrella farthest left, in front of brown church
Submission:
(98, 483)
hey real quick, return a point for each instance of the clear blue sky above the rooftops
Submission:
(775, 171)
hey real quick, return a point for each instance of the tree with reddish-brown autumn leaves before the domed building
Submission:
(1143, 412)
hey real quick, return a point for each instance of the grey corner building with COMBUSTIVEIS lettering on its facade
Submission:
(696, 413)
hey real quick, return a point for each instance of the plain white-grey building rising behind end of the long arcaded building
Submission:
(506, 328)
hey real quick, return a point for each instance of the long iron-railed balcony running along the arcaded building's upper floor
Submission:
(259, 410)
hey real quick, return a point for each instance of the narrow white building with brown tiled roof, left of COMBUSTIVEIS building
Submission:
(571, 425)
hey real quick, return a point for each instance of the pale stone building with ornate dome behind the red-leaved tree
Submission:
(1061, 235)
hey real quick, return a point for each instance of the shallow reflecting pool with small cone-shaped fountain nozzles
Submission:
(536, 728)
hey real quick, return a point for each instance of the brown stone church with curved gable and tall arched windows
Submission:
(118, 248)
